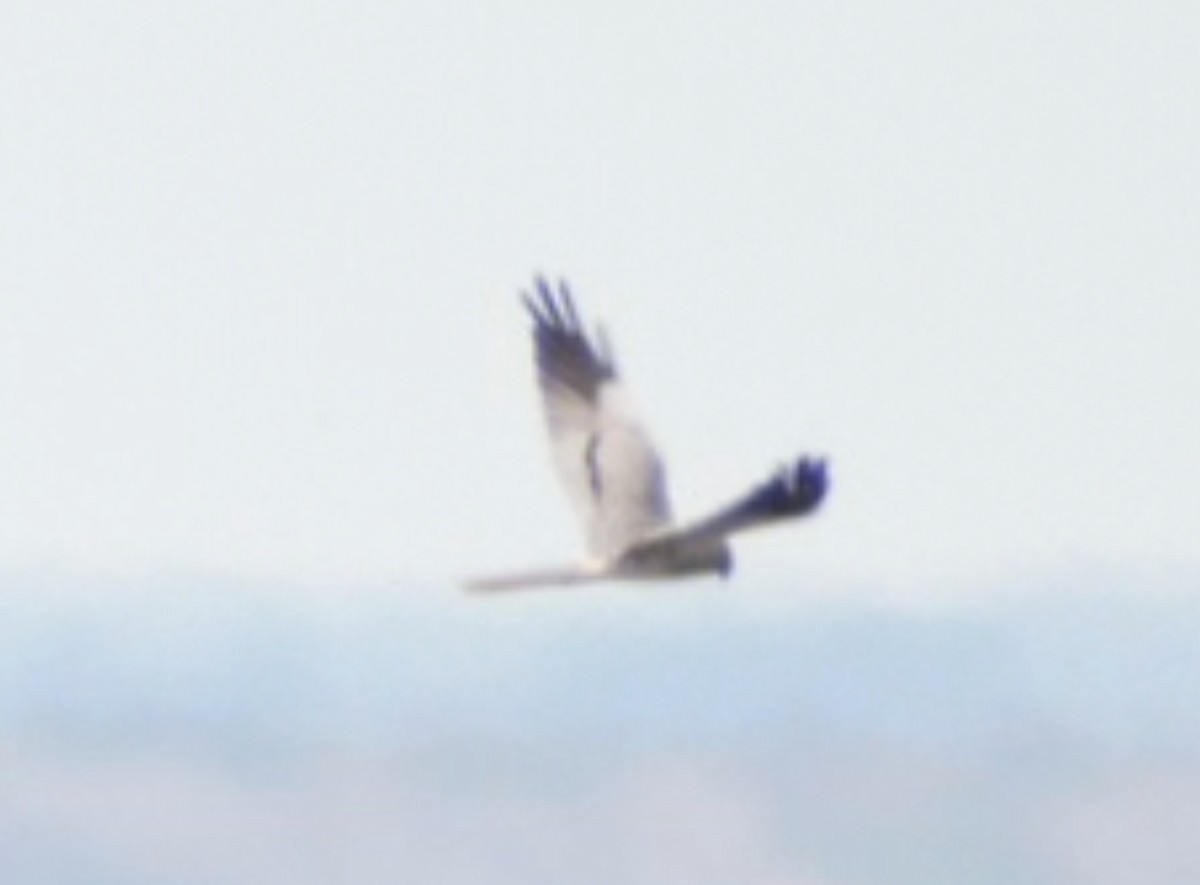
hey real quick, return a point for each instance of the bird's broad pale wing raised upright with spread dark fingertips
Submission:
(604, 456)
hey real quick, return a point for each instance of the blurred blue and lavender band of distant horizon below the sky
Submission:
(193, 730)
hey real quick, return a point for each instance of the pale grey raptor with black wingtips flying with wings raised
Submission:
(614, 477)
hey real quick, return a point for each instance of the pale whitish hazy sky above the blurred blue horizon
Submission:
(260, 262)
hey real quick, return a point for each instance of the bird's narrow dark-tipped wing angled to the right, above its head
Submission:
(794, 491)
